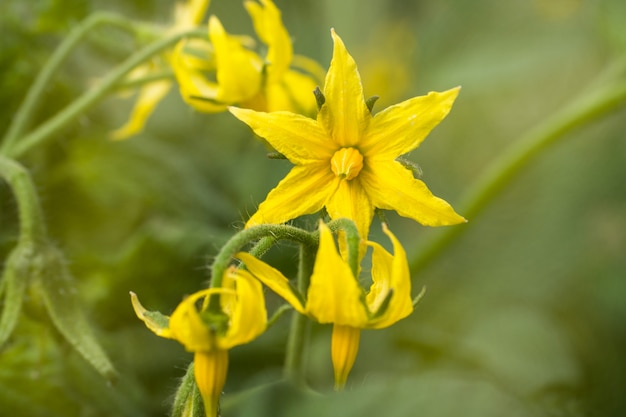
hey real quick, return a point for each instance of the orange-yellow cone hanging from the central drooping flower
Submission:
(344, 347)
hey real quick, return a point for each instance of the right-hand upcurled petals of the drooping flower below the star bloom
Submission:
(389, 273)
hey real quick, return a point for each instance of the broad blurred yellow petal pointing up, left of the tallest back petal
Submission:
(239, 70)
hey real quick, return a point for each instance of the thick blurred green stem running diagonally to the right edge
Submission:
(501, 171)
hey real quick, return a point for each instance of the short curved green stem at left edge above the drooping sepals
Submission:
(32, 225)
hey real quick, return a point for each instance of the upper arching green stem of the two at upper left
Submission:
(33, 97)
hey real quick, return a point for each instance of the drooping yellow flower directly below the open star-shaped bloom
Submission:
(335, 296)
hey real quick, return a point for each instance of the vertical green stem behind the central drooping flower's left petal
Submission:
(299, 332)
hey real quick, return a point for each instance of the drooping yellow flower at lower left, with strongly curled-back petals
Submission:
(210, 335)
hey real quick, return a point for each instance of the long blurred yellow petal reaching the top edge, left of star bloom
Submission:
(269, 27)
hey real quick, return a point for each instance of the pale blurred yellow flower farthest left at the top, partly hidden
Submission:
(187, 15)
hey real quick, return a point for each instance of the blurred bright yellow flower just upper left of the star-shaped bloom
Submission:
(243, 77)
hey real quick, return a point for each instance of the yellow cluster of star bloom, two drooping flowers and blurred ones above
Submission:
(346, 164)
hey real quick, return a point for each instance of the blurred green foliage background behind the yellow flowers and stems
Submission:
(525, 313)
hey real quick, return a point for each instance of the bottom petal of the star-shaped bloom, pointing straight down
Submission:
(351, 201)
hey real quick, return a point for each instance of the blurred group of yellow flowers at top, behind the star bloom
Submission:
(223, 70)
